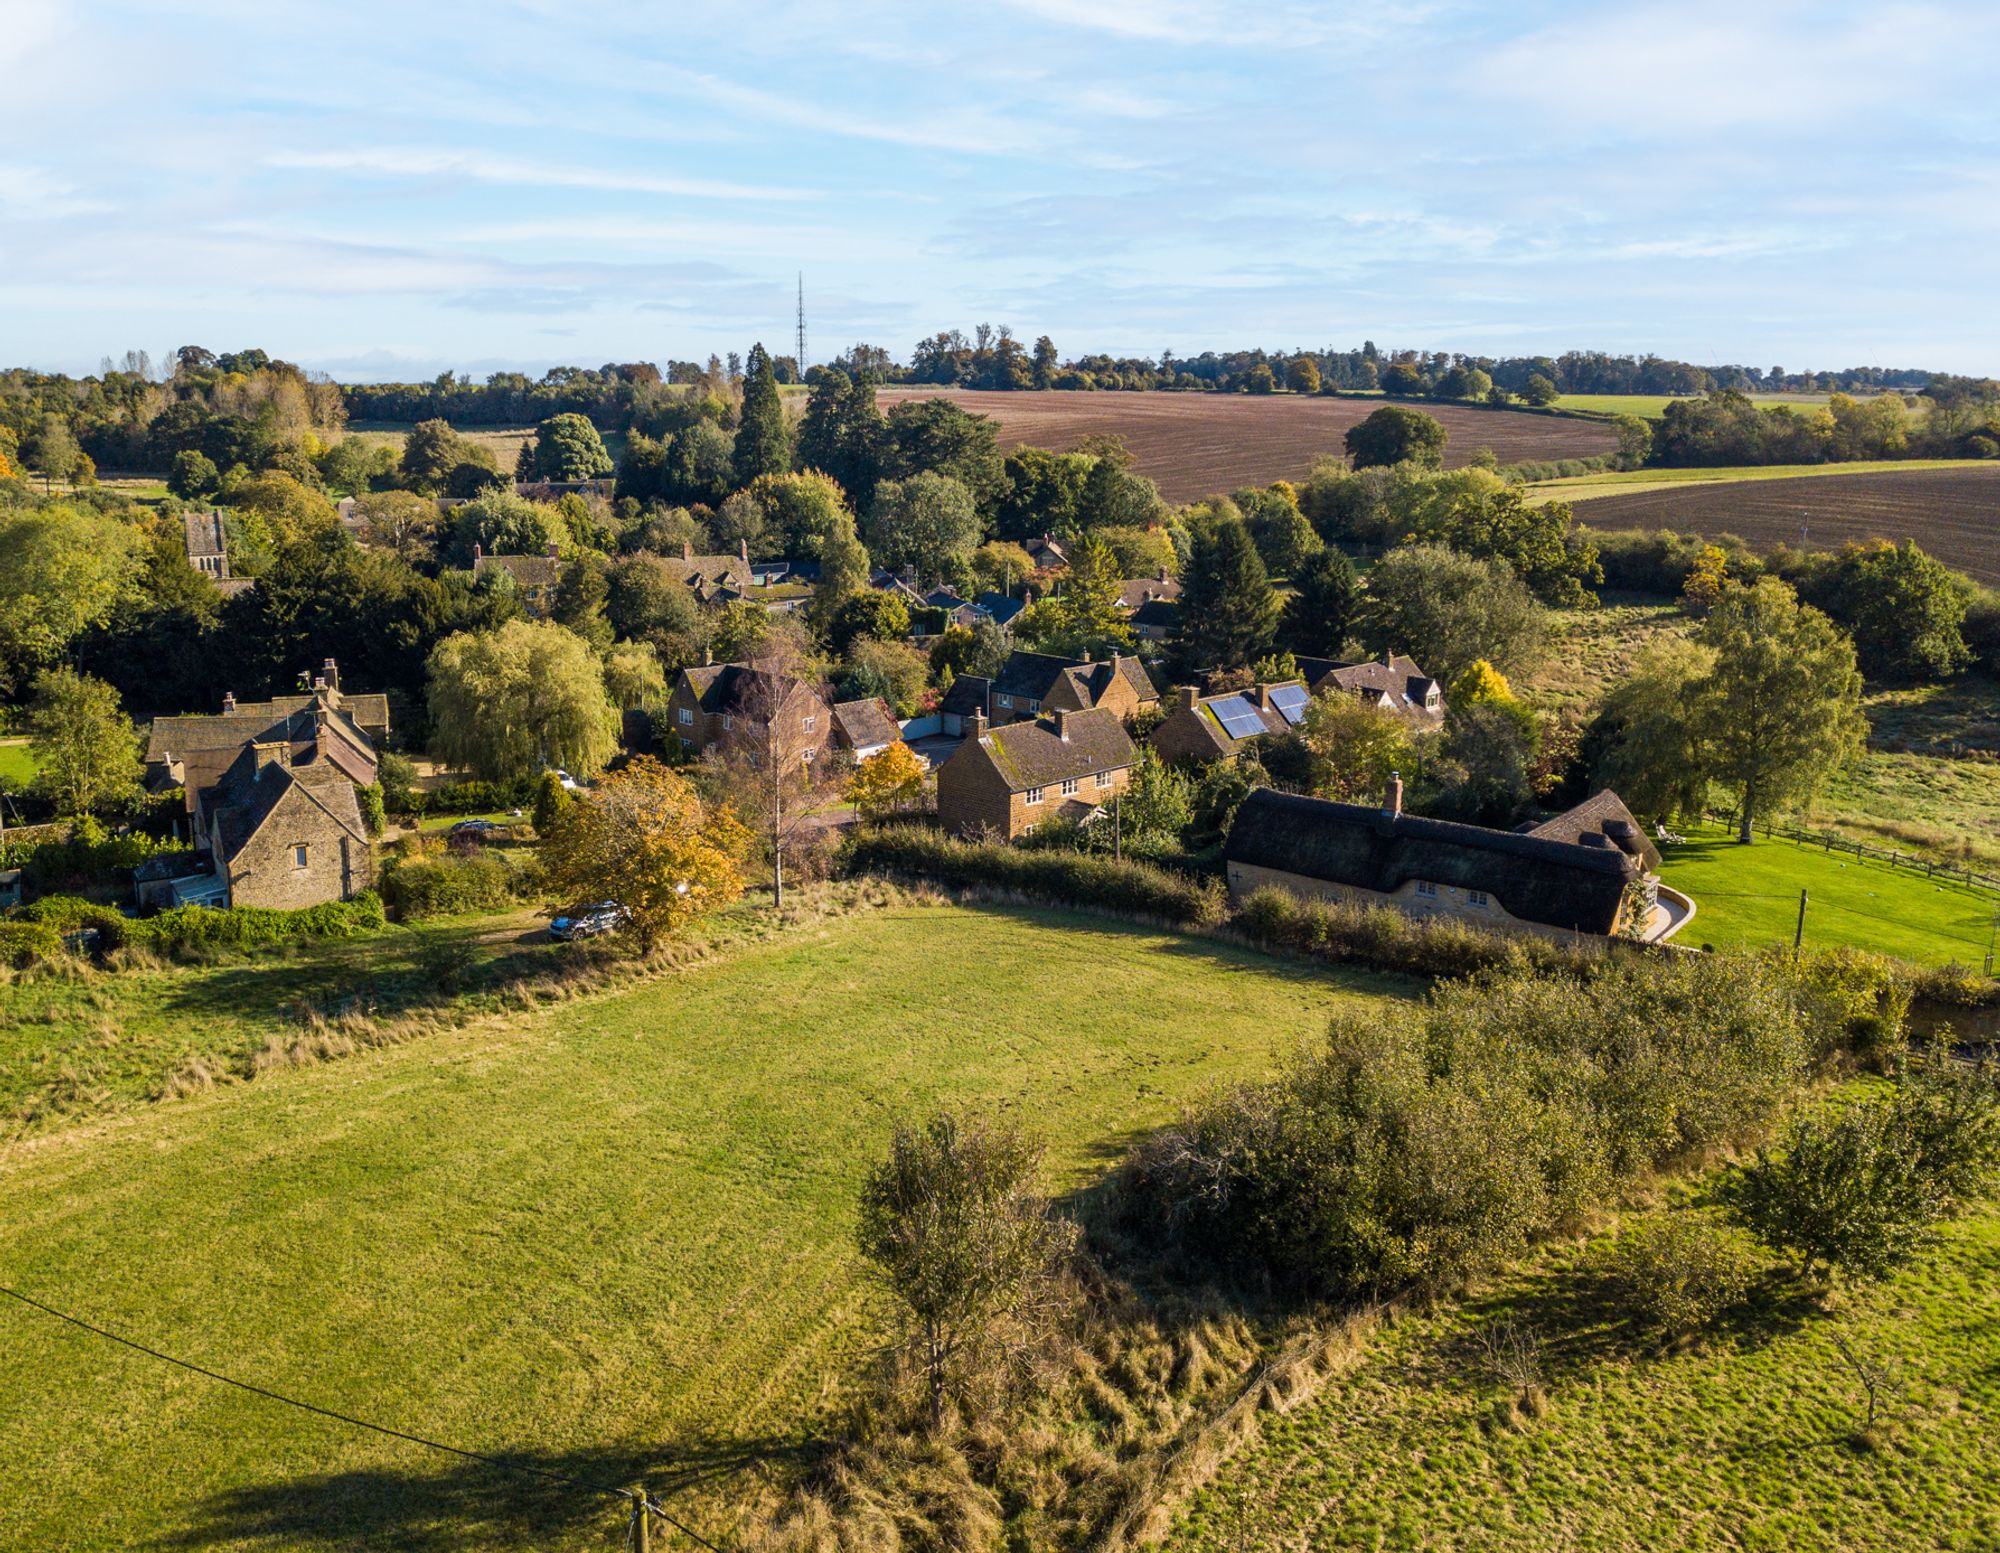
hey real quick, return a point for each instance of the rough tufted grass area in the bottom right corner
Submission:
(1741, 1444)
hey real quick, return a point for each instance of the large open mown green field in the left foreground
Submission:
(605, 1238)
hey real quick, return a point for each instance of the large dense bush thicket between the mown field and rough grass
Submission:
(1425, 1144)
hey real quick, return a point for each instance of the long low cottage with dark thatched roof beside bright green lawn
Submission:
(1583, 874)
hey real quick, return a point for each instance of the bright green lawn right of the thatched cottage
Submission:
(1749, 898)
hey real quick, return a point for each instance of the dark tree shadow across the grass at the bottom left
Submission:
(467, 1506)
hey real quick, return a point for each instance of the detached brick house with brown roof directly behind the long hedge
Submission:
(1007, 782)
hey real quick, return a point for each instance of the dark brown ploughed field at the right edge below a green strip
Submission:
(1953, 513)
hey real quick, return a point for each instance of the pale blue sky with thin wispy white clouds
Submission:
(389, 191)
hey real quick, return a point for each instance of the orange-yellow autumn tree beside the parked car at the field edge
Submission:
(645, 840)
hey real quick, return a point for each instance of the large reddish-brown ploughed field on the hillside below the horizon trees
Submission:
(1203, 445)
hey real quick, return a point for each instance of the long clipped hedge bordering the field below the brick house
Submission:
(1077, 880)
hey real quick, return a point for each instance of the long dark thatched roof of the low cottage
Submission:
(1553, 884)
